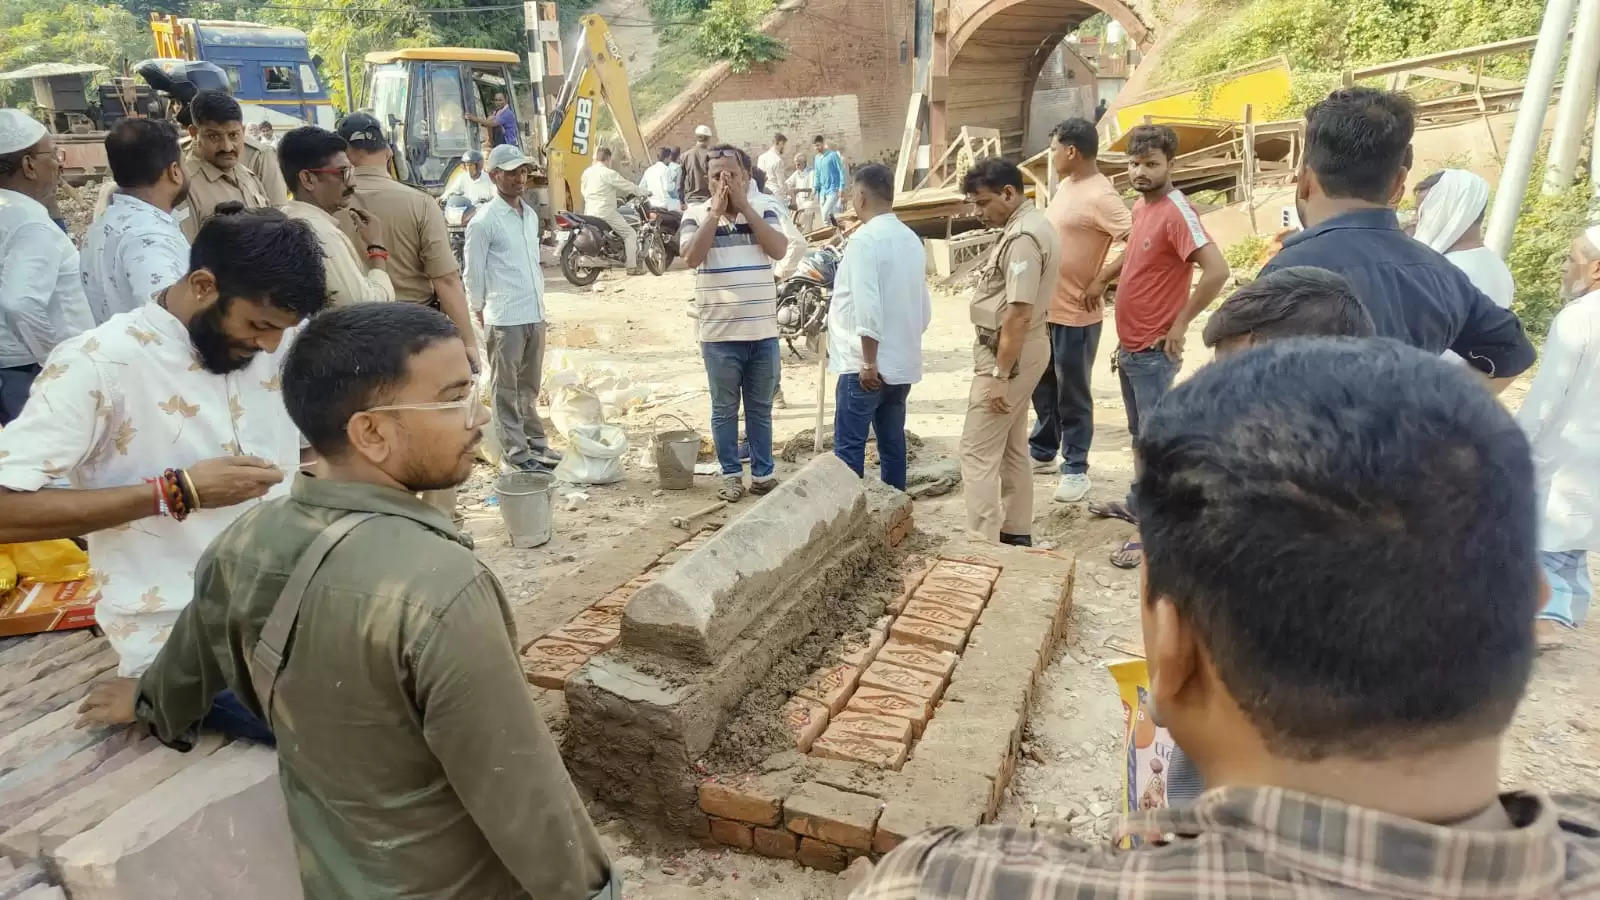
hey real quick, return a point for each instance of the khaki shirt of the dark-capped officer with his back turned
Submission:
(414, 233)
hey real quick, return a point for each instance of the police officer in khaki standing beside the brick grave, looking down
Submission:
(1010, 302)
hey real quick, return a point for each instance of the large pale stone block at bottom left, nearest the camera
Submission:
(215, 830)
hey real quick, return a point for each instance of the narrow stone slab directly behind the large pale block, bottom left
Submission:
(94, 802)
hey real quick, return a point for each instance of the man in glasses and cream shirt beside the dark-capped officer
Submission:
(322, 182)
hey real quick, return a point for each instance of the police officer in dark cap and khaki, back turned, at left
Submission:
(422, 265)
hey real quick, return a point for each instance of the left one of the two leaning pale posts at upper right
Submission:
(1530, 123)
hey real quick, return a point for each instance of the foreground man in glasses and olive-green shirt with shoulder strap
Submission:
(412, 757)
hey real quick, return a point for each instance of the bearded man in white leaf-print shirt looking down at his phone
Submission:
(167, 422)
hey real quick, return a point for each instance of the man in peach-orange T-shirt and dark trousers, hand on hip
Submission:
(1089, 215)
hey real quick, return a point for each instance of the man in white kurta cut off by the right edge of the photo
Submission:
(1562, 419)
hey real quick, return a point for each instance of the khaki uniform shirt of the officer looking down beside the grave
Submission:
(1022, 268)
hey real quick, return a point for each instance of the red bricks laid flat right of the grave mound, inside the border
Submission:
(871, 707)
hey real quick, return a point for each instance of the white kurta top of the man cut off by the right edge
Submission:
(1562, 420)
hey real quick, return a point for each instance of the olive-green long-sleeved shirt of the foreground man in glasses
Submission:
(412, 755)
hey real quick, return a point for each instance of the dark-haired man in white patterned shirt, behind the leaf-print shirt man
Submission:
(137, 249)
